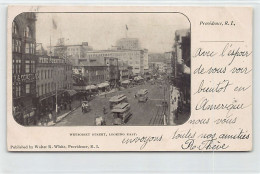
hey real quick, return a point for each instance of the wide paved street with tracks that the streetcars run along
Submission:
(143, 114)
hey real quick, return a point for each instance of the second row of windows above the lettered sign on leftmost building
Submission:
(17, 47)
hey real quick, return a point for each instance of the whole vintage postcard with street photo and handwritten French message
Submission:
(125, 78)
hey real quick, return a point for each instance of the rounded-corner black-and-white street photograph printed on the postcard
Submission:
(101, 69)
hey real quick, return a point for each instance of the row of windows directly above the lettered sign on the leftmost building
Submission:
(29, 66)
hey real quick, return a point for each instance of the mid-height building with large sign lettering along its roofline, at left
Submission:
(54, 77)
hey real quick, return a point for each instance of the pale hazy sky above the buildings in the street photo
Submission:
(155, 31)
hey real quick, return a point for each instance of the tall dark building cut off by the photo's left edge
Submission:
(23, 67)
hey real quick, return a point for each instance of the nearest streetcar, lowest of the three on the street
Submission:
(121, 113)
